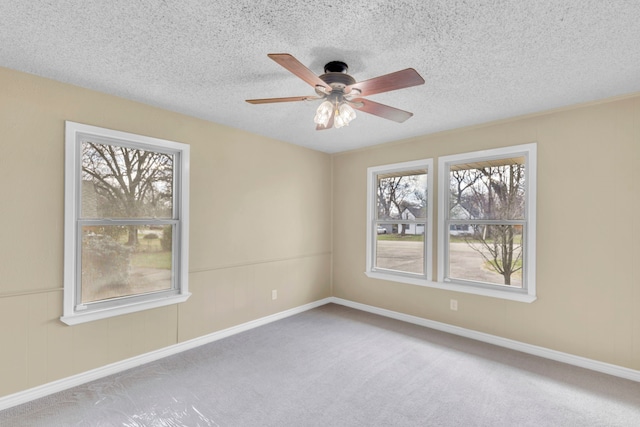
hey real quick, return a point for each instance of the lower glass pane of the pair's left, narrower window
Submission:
(402, 252)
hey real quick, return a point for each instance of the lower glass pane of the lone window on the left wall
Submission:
(120, 261)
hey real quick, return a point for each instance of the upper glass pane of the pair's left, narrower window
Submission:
(402, 196)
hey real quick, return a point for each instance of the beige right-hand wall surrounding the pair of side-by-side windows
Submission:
(588, 235)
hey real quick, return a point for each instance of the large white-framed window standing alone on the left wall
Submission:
(126, 223)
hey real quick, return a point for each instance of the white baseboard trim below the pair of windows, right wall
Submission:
(558, 356)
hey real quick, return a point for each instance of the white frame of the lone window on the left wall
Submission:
(73, 311)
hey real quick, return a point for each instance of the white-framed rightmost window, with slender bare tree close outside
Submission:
(486, 218)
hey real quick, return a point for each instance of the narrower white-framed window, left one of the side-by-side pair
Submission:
(399, 222)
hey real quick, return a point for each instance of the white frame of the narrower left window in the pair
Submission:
(392, 275)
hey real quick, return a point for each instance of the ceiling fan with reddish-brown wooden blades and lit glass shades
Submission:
(341, 93)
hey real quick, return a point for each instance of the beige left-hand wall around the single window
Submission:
(260, 220)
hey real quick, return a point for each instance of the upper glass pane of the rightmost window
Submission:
(489, 190)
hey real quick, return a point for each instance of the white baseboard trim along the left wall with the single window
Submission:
(114, 368)
